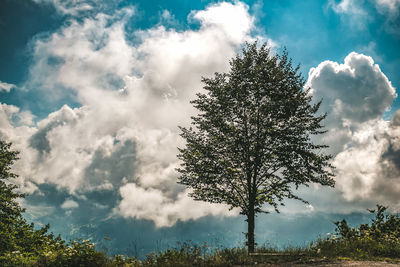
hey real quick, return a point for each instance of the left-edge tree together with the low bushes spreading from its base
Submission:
(23, 245)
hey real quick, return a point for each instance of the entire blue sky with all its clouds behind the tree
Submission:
(92, 93)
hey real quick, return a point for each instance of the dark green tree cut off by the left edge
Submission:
(16, 235)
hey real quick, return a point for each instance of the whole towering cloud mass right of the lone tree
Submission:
(366, 148)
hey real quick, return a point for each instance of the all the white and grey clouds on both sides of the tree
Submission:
(116, 151)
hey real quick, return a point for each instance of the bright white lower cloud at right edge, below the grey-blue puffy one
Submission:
(370, 169)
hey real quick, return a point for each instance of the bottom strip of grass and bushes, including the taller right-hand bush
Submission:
(378, 241)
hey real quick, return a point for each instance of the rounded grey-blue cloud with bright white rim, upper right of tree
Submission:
(357, 90)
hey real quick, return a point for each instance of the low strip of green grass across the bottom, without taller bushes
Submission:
(83, 253)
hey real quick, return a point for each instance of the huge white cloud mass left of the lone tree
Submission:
(124, 136)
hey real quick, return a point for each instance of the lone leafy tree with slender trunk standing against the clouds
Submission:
(250, 143)
